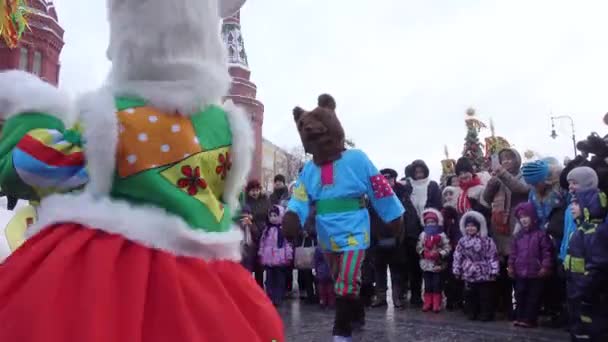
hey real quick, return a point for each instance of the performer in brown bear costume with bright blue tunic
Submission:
(338, 181)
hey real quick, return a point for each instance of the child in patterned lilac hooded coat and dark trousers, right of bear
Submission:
(476, 262)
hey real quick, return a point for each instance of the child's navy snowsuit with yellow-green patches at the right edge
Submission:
(586, 261)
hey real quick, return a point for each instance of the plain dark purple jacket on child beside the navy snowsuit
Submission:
(531, 251)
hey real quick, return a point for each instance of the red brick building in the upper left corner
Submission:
(39, 49)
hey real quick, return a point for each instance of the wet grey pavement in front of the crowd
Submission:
(309, 323)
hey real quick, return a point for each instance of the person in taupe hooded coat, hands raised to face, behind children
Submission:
(505, 190)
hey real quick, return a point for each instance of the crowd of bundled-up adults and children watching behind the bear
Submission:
(524, 243)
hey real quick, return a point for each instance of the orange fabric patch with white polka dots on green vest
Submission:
(149, 138)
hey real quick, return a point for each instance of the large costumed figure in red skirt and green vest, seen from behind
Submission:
(135, 239)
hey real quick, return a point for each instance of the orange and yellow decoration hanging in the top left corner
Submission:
(13, 21)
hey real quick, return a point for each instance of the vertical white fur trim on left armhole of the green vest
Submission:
(98, 115)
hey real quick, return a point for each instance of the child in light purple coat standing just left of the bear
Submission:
(276, 254)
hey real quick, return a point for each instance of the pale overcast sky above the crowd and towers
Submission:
(403, 72)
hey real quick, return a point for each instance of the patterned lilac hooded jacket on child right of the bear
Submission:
(476, 257)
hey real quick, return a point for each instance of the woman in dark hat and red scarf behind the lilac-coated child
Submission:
(472, 188)
